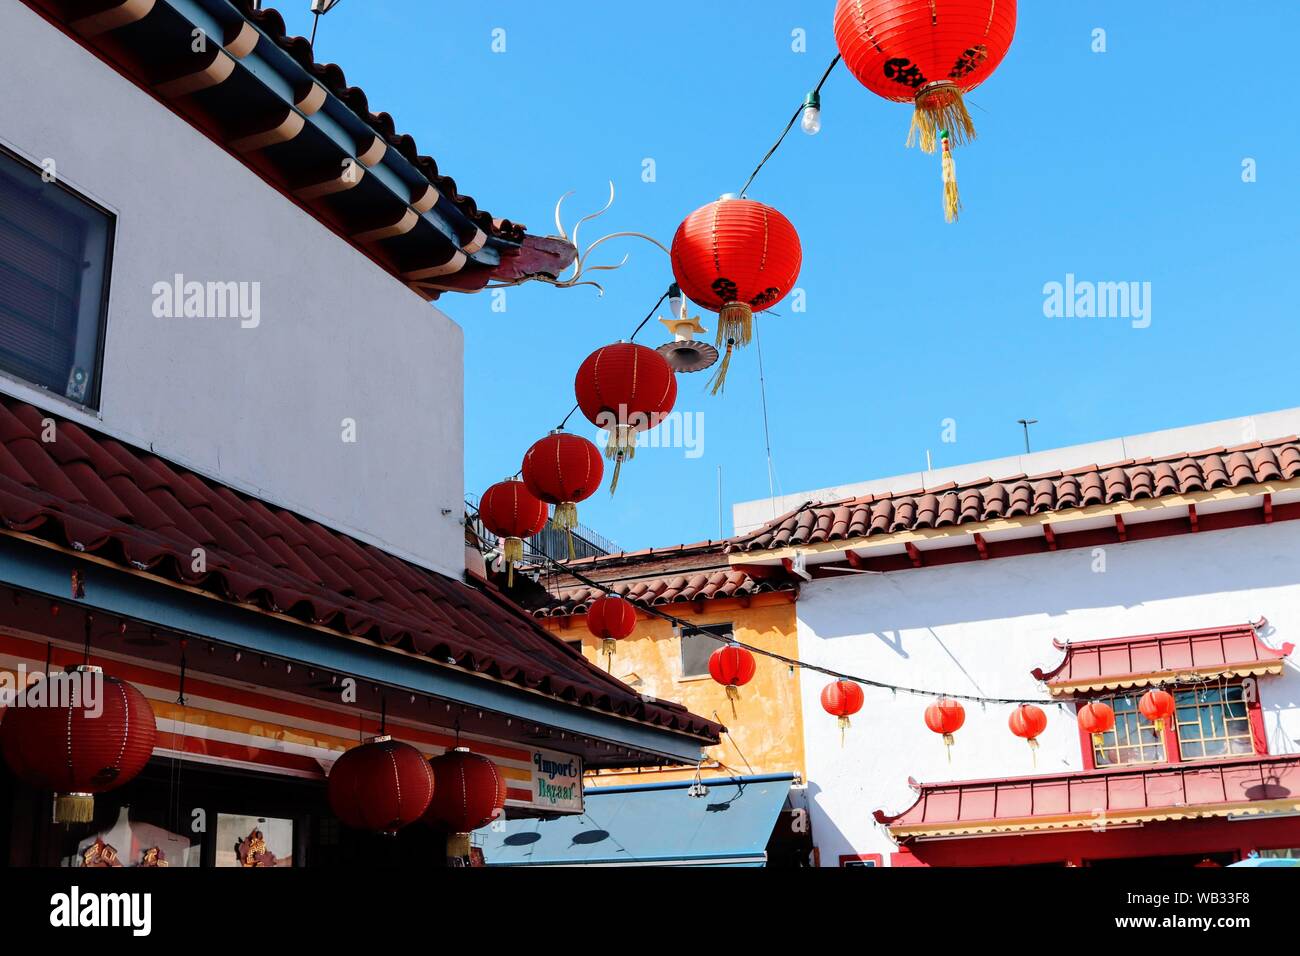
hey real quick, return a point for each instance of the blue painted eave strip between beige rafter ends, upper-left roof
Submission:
(279, 72)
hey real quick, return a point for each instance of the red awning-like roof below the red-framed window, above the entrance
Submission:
(1125, 795)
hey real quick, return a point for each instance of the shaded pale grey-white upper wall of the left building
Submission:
(261, 409)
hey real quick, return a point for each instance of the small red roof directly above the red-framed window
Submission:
(1121, 663)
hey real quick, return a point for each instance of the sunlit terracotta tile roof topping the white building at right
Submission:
(1022, 495)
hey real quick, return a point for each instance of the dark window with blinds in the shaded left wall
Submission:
(55, 253)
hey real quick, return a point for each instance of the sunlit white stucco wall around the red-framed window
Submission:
(981, 628)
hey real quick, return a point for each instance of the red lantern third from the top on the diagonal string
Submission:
(625, 390)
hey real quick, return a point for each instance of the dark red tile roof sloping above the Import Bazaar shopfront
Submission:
(96, 495)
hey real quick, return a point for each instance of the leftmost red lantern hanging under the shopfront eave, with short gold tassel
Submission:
(79, 734)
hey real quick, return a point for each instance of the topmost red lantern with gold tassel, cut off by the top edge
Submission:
(930, 53)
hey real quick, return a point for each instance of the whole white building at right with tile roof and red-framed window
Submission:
(976, 605)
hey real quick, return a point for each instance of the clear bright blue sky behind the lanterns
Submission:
(1124, 166)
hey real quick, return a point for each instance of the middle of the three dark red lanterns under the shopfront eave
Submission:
(382, 786)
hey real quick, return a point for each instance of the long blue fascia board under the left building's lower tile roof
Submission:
(47, 572)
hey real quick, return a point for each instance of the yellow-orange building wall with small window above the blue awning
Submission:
(768, 728)
